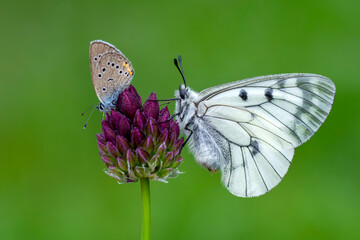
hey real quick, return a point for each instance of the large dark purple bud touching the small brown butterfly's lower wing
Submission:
(128, 104)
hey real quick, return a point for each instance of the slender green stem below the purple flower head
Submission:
(145, 196)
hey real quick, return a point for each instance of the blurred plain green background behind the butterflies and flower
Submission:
(52, 184)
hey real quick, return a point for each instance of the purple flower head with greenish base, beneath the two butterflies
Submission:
(139, 141)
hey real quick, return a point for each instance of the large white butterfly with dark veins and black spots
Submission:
(250, 128)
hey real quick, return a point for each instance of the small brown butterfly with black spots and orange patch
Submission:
(111, 73)
